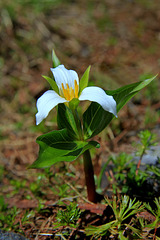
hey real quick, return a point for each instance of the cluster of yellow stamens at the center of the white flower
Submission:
(69, 93)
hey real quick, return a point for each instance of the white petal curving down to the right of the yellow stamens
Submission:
(98, 95)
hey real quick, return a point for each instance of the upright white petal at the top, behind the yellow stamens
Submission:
(63, 75)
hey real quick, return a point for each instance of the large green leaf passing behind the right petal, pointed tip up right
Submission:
(95, 118)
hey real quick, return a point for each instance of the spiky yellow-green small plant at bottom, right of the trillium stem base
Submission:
(121, 222)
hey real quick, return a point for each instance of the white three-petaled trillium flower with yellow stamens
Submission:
(68, 86)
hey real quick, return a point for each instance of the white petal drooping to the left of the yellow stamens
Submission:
(45, 103)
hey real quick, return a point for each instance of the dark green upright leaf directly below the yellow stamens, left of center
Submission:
(65, 119)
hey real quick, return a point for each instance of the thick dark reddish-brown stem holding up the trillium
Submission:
(89, 177)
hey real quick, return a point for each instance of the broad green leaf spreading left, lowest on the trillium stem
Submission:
(57, 146)
